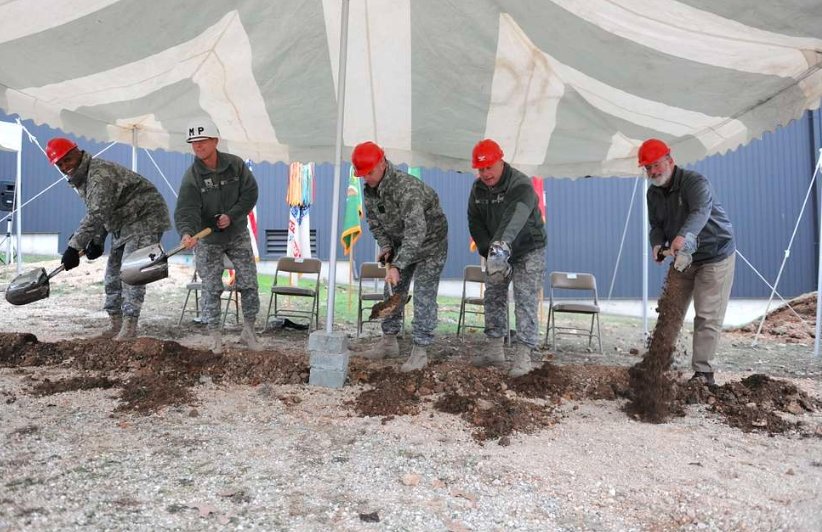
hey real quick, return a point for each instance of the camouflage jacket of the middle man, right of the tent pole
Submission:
(404, 214)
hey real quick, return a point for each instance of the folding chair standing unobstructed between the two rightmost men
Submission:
(573, 281)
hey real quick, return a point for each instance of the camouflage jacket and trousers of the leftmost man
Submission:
(127, 206)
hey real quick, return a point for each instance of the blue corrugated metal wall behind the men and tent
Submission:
(761, 185)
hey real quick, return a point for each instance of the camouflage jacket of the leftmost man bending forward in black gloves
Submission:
(118, 201)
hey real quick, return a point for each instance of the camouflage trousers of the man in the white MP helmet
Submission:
(210, 259)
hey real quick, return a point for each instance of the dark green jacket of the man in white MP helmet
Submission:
(204, 193)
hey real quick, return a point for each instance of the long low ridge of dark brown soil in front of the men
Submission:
(158, 373)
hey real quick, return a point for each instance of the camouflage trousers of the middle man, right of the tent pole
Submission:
(426, 276)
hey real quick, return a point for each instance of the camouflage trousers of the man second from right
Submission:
(527, 273)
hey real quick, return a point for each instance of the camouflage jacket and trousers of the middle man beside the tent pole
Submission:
(404, 214)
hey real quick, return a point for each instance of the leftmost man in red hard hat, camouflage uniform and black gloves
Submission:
(118, 202)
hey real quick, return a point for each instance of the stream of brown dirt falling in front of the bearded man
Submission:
(652, 387)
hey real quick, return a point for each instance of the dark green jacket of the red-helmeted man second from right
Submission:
(507, 212)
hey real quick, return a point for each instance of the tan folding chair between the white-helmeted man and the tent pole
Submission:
(290, 265)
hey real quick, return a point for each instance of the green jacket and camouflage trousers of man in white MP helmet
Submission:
(204, 193)
